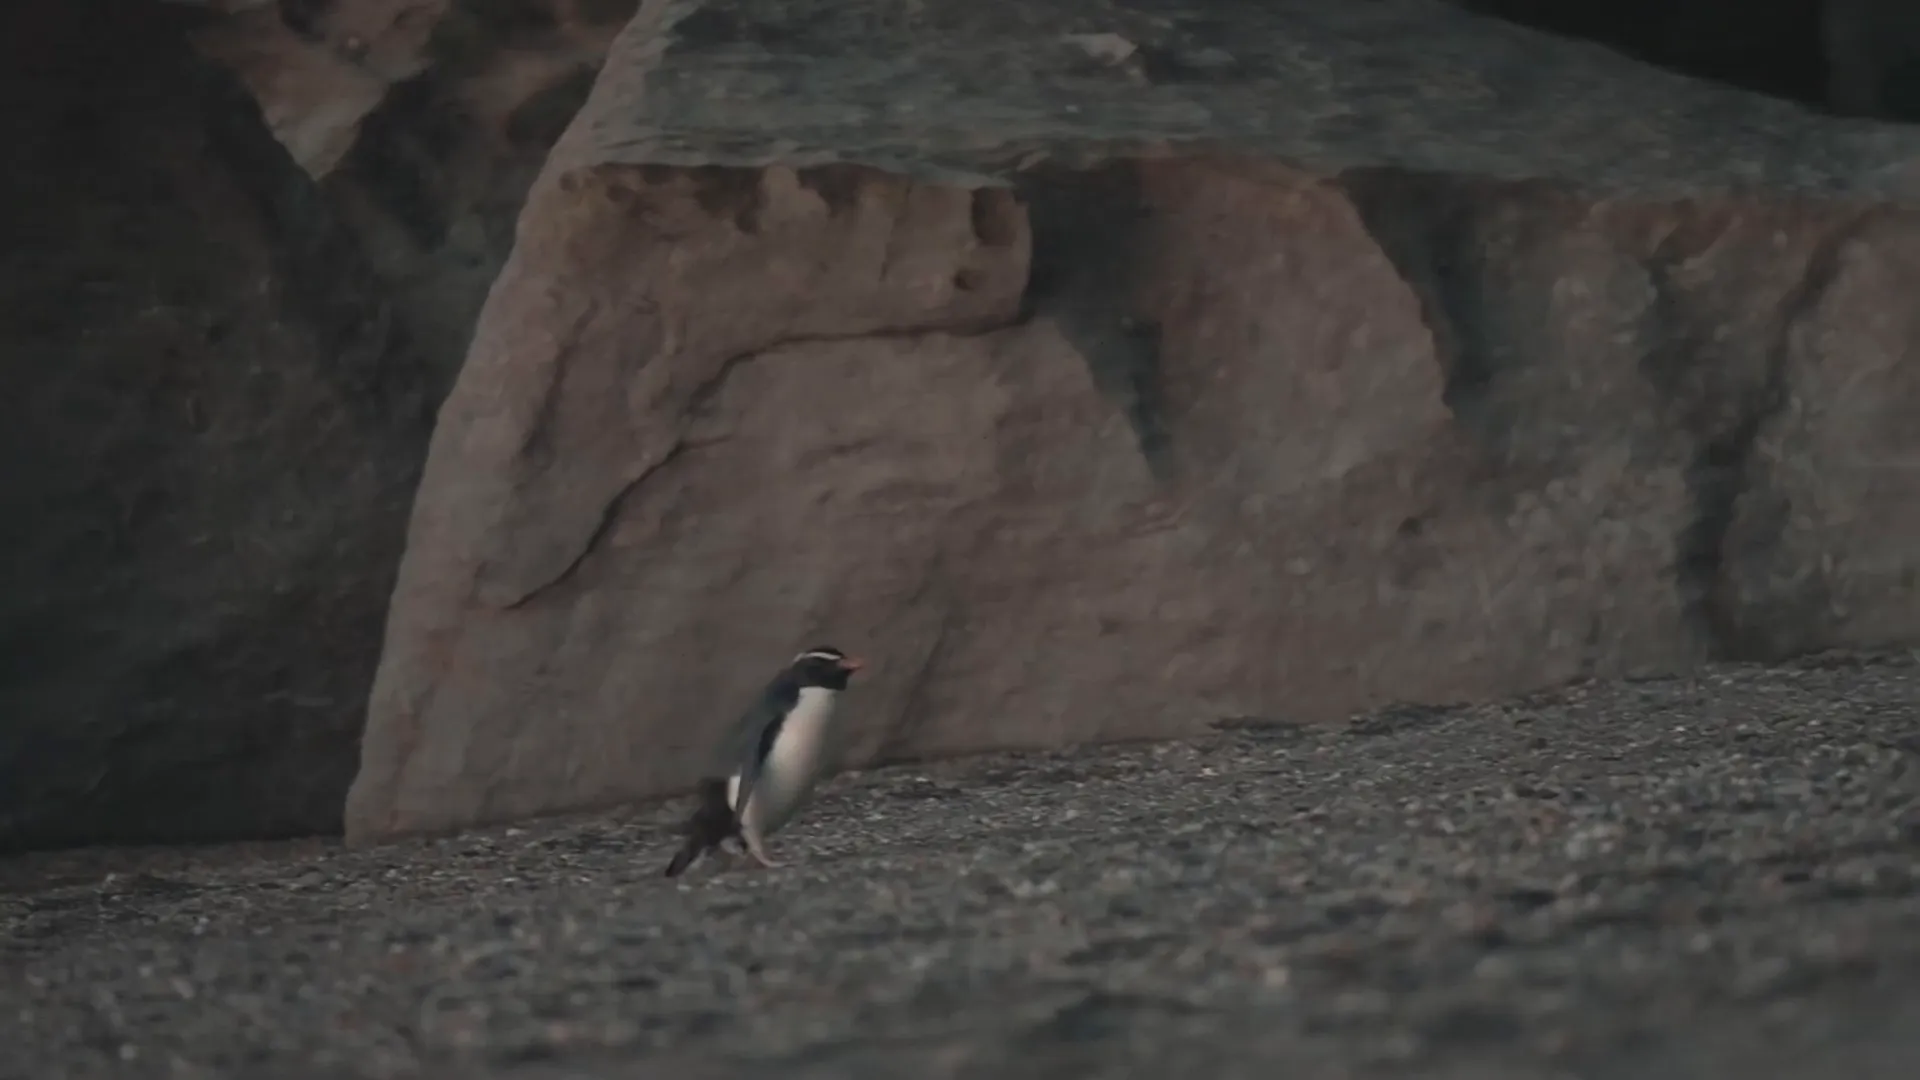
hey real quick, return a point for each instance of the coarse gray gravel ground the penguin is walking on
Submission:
(1681, 879)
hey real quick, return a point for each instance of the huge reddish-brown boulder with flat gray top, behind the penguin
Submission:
(1107, 372)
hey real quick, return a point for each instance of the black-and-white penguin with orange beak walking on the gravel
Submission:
(769, 762)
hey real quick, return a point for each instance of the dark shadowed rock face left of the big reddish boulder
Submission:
(226, 328)
